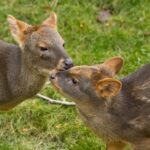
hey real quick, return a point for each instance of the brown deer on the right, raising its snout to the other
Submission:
(116, 110)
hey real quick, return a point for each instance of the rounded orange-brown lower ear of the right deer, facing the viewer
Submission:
(108, 87)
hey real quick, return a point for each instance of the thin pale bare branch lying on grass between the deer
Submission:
(52, 101)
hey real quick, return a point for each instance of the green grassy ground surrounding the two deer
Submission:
(35, 125)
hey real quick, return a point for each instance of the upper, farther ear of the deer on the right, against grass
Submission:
(115, 64)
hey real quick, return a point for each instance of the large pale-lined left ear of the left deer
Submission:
(17, 29)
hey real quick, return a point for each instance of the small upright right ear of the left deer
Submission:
(51, 21)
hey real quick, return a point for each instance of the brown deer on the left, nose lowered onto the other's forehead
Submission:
(25, 68)
